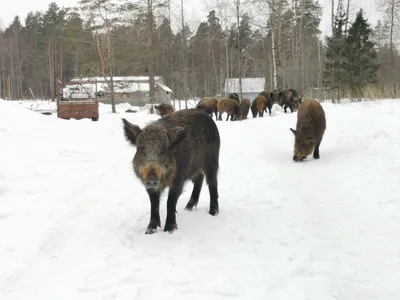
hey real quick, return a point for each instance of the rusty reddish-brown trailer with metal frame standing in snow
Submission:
(77, 100)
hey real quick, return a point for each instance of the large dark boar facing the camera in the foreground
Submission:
(178, 147)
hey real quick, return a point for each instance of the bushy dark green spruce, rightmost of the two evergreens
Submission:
(361, 57)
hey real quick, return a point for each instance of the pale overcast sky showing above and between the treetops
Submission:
(195, 10)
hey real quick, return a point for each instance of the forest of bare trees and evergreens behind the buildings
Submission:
(117, 38)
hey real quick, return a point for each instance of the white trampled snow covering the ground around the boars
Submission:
(73, 215)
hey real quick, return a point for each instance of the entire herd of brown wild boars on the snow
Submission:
(185, 145)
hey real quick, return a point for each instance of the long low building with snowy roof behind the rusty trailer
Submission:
(134, 90)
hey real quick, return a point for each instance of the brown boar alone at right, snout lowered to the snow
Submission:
(310, 129)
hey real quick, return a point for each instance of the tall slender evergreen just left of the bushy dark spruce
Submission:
(334, 70)
